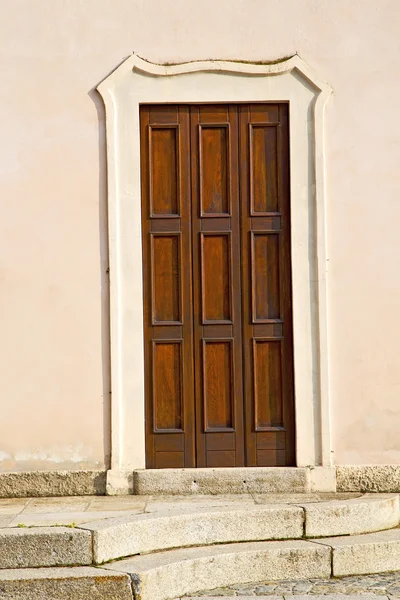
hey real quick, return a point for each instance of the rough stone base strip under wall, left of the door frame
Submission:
(36, 484)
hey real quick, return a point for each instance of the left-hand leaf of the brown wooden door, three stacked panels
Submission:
(168, 327)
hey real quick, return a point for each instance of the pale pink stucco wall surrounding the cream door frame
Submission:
(53, 242)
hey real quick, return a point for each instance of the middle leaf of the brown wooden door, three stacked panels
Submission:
(216, 286)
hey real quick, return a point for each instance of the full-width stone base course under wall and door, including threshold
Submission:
(343, 478)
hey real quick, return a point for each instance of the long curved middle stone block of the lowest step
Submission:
(174, 573)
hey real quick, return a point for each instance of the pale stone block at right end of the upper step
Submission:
(361, 515)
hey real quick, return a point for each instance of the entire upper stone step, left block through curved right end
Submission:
(107, 539)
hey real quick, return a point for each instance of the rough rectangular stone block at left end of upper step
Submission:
(44, 547)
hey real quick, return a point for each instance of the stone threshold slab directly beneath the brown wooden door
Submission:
(256, 480)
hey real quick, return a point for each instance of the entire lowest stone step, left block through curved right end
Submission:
(174, 573)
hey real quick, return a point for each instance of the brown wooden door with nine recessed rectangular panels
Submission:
(217, 285)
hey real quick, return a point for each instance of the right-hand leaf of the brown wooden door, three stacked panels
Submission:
(266, 291)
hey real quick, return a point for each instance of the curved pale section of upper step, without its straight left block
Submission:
(116, 538)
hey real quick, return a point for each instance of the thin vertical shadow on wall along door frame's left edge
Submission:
(104, 269)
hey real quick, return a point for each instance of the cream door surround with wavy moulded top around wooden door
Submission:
(136, 82)
